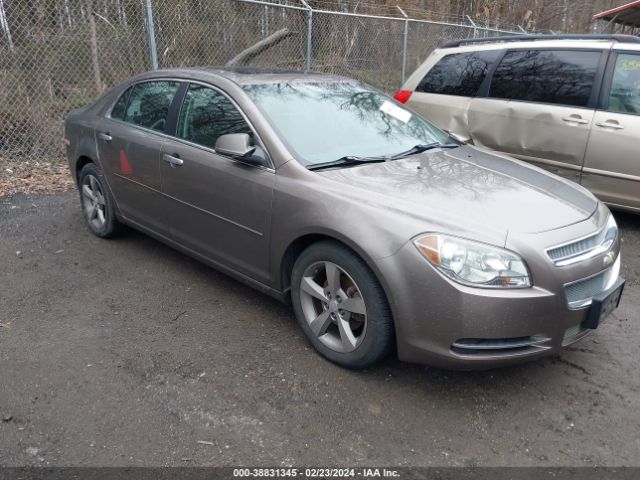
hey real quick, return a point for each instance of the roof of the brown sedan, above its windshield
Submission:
(246, 75)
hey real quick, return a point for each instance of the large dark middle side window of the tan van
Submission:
(563, 77)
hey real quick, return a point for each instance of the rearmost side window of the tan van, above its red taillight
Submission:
(458, 74)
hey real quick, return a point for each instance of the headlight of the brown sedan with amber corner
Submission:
(473, 263)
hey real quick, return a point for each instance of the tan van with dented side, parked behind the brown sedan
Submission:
(568, 103)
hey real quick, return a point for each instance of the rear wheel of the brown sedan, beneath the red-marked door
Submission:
(97, 205)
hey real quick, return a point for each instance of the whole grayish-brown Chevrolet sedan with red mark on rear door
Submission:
(385, 234)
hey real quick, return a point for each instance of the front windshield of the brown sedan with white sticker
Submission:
(326, 121)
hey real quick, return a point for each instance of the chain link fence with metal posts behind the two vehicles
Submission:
(56, 55)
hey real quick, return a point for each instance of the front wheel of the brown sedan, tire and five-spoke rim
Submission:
(340, 306)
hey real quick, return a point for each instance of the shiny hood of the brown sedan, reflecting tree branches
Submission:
(466, 185)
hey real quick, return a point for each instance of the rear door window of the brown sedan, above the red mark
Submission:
(149, 104)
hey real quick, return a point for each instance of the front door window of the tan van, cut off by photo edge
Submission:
(624, 96)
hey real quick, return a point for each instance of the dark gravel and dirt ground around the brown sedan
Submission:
(127, 352)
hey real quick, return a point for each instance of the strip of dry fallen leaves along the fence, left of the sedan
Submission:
(34, 177)
